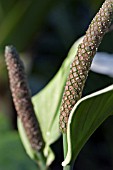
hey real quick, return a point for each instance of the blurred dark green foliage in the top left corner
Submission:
(22, 21)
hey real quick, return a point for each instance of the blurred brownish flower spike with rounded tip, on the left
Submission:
(22, 99)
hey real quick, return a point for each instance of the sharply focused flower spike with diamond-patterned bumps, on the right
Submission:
(81, 64)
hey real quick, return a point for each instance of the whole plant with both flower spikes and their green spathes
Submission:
(59, 108)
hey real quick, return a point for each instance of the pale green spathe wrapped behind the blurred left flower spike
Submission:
(47, 105)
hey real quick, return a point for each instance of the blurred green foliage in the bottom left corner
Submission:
(12, 153)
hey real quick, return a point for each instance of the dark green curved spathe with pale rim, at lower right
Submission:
(86, 116)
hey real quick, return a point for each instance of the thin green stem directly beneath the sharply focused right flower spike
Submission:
(65, 148)
